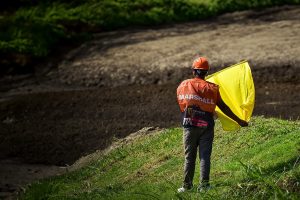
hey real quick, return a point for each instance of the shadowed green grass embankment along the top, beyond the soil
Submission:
(36, 28)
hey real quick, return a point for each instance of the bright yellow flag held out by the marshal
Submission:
(237, 91)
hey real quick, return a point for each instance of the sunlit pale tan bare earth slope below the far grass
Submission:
(267, 39)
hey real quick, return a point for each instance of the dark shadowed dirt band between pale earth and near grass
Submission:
(59, 127)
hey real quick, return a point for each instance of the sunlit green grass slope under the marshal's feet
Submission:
(257, 162)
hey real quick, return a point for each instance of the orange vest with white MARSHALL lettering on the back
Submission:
(198, 92)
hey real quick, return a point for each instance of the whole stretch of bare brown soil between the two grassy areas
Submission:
(123, 81)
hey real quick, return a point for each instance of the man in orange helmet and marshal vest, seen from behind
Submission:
(197, 100)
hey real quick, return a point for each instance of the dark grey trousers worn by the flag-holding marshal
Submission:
(193, 138)
